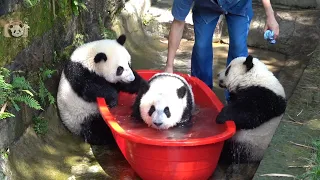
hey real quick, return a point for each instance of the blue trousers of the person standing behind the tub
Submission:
(202, 53)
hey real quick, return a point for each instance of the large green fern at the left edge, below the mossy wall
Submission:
(17, 90)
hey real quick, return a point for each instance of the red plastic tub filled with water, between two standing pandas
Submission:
(153, 154)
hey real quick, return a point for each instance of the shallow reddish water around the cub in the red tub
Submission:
(202, 124)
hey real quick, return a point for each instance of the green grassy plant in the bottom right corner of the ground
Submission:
(313, 171)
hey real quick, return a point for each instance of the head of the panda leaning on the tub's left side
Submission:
(107, 58)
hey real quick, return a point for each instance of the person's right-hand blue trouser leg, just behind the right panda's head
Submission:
(238, 28)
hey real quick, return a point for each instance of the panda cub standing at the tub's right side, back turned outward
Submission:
(257, 104)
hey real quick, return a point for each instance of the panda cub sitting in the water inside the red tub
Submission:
(165, 102)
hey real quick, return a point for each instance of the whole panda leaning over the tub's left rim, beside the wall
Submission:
(99, 68)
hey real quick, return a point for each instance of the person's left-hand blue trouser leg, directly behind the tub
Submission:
(202, 53)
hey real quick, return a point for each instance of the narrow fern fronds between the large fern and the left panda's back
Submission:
(44, 93)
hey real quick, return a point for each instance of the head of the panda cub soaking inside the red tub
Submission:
(163, 108)
